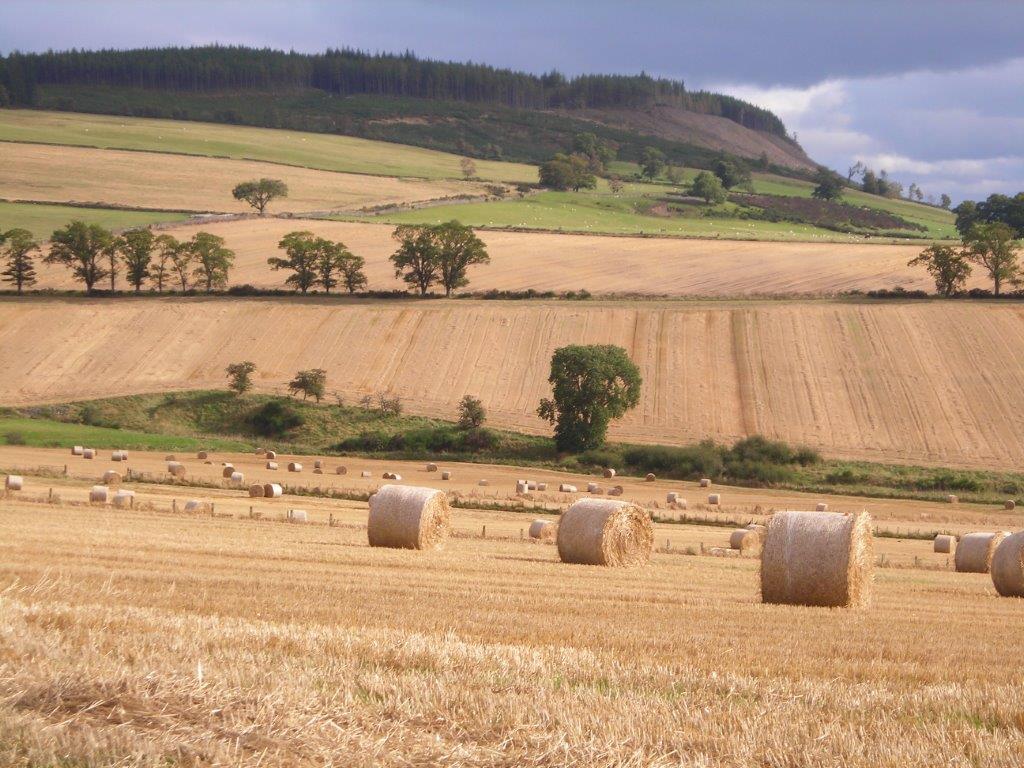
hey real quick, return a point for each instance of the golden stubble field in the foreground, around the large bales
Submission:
(164, 634)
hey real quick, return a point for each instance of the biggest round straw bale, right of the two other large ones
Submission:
(818, 559)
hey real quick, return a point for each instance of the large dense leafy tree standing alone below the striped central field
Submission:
(591, 386)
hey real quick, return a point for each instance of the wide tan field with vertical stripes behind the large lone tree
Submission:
(929, 383)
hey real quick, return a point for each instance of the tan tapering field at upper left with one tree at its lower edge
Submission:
(78, 175)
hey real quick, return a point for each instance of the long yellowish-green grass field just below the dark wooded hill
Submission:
(319, 151)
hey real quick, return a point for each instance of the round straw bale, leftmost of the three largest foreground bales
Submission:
(408, 518)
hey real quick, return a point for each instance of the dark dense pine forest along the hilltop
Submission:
(346, 72)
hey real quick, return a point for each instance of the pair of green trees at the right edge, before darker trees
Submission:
(991, 246)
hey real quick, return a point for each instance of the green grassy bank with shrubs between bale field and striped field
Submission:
(221, 421)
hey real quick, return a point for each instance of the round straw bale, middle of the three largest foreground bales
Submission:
(603, 532)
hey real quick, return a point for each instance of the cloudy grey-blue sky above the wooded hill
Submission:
(931, 91)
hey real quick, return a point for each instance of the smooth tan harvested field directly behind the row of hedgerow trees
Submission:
(650, 267)
